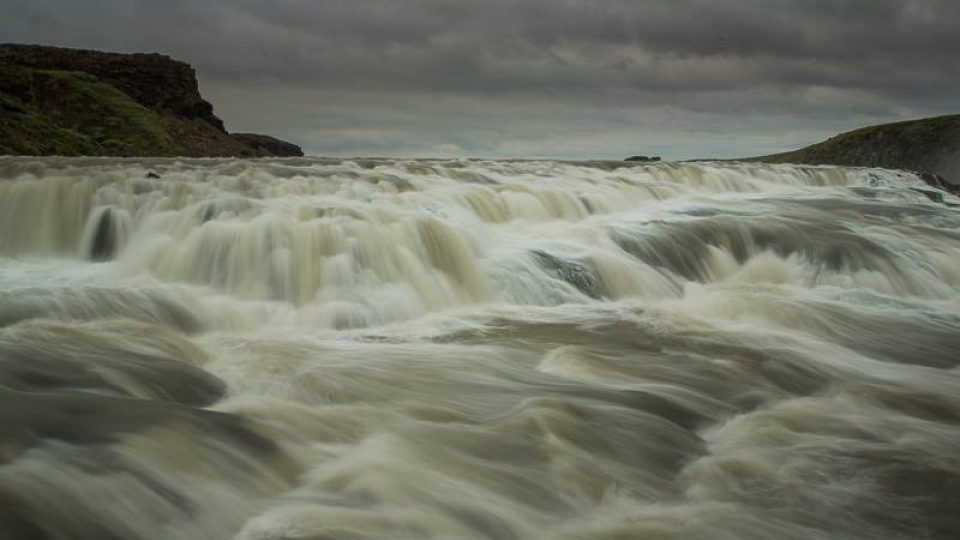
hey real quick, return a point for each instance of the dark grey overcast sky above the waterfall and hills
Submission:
(536, 78)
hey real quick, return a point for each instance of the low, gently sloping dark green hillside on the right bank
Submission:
(929, 146)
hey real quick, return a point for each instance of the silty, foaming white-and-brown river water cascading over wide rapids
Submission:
(373, 349)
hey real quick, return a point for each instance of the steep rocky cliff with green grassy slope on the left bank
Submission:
(72, 102)
